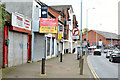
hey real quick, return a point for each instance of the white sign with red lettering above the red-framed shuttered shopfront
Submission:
(20, 21)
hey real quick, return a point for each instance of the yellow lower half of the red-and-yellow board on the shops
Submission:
(48, 29)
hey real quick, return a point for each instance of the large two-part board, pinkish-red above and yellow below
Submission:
(48, 25)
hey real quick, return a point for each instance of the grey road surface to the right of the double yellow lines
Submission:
(102, 66)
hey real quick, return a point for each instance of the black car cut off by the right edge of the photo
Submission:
(115, 56)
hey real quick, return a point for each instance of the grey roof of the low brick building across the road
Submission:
(108, 35)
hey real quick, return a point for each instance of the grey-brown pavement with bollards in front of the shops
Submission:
(69, 68)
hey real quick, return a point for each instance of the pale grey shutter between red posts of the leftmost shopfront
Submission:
(17, 50)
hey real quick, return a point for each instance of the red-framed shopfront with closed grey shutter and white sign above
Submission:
(15, 45)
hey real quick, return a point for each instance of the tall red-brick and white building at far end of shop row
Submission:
(70, 22)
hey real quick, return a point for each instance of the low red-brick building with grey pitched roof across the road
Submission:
(108, 39)
